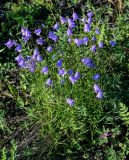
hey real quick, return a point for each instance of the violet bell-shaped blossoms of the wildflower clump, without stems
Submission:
(31, 62)
